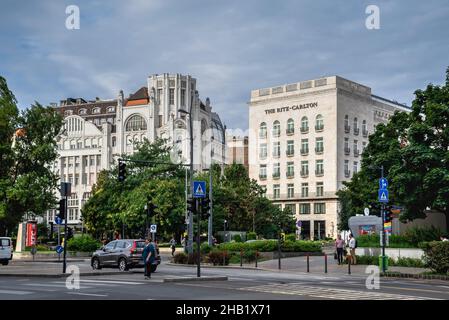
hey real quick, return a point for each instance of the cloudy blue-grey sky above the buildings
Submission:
(231, 47)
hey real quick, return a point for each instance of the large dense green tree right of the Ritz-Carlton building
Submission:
(413, 148)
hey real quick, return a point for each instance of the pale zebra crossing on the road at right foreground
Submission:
(330, 293)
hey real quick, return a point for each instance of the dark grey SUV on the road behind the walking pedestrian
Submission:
(124, 254)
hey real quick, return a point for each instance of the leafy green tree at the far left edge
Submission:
(27, 150)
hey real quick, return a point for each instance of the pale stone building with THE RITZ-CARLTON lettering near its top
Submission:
(306, 139)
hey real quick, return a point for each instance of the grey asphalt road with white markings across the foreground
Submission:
(241, 285)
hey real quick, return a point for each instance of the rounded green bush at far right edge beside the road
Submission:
(436, 256)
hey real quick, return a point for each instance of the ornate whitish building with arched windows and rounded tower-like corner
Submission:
(96, 133)
